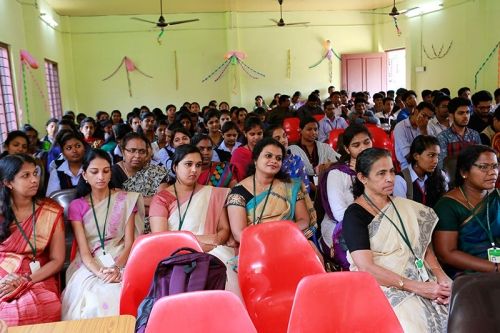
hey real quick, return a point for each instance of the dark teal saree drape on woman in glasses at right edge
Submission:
(472, 238)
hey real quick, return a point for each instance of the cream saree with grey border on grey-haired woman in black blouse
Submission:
(415, 313)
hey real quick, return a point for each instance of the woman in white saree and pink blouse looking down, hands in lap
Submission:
(105, 223)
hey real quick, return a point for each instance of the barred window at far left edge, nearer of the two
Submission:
(8, 115)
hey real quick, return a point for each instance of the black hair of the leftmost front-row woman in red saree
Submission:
(10, 166)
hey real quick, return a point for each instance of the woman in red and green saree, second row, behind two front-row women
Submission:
(216, 174)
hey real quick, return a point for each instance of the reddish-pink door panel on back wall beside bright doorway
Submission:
(364, 72)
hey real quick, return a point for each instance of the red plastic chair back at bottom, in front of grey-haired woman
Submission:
(342, 302)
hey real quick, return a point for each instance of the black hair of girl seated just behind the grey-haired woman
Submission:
(435, 186)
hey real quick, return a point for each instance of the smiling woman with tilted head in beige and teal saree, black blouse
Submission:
(268, 194)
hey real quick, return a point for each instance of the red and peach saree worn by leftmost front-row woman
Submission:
(38, 302)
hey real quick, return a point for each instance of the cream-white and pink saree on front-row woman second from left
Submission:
(87, 296)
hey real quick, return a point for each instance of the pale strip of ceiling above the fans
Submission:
(131, 7)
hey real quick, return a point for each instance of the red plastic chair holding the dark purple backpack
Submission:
(146, 252)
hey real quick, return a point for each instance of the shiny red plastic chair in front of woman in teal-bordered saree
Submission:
(273, 258)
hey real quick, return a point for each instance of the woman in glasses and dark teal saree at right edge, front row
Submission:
(469, 215)
